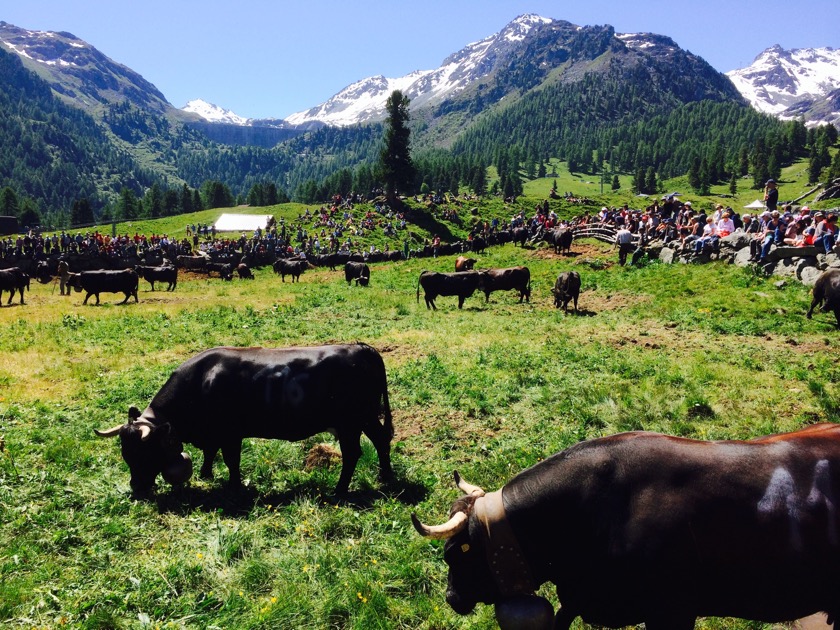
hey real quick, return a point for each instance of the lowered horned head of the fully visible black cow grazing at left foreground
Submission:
(150, 449)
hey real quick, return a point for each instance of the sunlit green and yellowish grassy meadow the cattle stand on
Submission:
(709, 352)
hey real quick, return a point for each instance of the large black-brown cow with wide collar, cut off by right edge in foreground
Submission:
(646, 528)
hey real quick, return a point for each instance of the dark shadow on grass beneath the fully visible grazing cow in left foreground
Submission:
(241, 501)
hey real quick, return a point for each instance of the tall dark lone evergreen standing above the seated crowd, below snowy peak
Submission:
(395, 165)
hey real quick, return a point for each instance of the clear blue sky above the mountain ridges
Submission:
(263, 58)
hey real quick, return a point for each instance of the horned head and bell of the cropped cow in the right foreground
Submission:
(470, 578)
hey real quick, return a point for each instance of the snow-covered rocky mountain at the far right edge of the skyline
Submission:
(790, 83)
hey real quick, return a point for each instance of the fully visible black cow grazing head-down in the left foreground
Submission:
(223, 395)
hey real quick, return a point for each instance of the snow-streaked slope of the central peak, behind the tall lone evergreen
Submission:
(365, 100)
